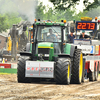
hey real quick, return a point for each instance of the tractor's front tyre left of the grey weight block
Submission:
(21, 70)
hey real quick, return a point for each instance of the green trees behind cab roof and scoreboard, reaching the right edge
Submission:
(47, 13)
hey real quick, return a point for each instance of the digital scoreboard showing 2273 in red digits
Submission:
(86, 25)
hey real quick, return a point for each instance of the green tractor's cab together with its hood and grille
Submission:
(48, 39)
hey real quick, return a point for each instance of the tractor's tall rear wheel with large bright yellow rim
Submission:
(77, 68)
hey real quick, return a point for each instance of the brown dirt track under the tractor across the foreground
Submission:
(11, 90)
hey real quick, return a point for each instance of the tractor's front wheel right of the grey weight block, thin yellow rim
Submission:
(63, 71)
